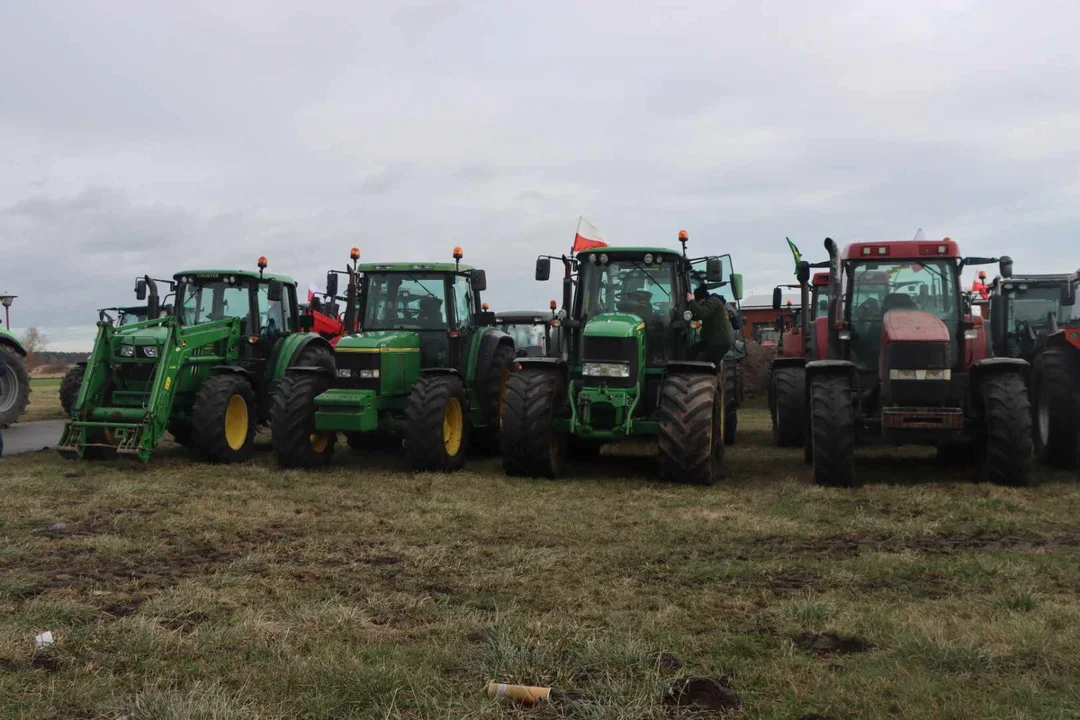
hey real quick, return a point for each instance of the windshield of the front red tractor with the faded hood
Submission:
(876, 289)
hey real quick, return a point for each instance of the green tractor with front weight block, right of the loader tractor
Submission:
(427, 365)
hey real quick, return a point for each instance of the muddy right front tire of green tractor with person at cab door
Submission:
(691, 437)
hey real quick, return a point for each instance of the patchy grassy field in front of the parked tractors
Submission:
(186, 591)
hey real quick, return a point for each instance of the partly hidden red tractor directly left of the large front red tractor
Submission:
(798, 346)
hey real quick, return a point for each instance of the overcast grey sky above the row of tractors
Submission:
(156, 137)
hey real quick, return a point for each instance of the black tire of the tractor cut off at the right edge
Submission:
(1055, 419)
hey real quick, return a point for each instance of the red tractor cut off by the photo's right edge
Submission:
(1056, 387)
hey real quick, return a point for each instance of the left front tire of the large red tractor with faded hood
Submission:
(832, 431)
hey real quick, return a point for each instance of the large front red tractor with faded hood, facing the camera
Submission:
(908, 364)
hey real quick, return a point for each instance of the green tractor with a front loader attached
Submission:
(206, 373)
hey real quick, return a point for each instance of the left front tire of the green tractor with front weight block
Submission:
(293, 436)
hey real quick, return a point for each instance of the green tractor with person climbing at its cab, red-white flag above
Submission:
(629, 368)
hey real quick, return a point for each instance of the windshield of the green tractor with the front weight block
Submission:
(406, 302)
